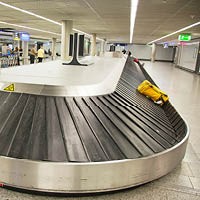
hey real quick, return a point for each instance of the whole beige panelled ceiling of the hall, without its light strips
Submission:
(108, 18)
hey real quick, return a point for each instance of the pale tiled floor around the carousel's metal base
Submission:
(184, 182)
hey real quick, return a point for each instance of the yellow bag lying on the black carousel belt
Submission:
(153, 92)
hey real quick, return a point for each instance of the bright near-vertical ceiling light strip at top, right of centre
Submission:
(133, 11)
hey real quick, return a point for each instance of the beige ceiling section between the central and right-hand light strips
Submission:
(156, 19)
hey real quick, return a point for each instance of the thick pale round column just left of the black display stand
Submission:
(65, 38)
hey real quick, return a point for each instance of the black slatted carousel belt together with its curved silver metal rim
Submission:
(86, 144)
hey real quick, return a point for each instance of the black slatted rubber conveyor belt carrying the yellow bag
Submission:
(117, 126)
